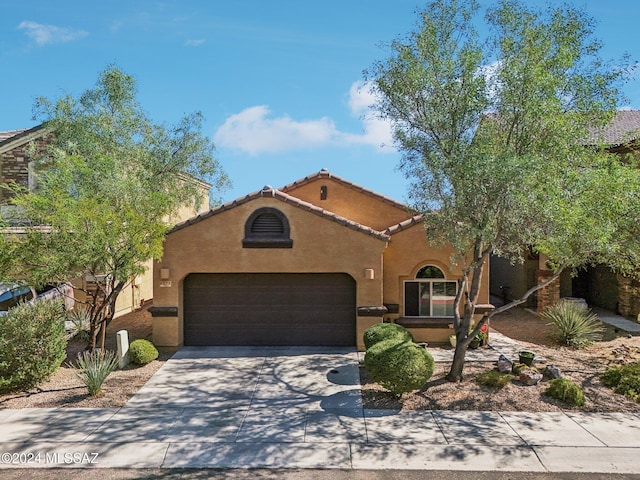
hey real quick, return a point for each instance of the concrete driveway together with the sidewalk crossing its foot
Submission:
(288, 408)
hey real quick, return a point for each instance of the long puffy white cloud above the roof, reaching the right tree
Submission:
(254, 131)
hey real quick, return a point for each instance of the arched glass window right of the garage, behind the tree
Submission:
(429, 295)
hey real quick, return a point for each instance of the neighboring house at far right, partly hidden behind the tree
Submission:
(597, 284)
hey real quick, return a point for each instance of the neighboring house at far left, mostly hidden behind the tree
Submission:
(16, 166)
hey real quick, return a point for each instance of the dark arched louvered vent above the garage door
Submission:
(267, 228)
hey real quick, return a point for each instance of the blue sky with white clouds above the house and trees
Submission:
(277, 80)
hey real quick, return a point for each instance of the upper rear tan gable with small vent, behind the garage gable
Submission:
(348, 200)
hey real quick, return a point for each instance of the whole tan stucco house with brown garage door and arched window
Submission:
(316, 262)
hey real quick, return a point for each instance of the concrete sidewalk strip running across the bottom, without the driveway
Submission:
(235, 437)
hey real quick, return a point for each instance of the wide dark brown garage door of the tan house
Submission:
(269, 309)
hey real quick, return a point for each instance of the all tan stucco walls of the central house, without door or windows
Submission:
(351, 230)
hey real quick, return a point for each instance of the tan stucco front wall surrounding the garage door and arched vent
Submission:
(214, 245)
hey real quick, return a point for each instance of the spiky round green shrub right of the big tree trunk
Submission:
(574, 324)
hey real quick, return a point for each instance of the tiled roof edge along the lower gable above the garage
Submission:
(271, 192)
